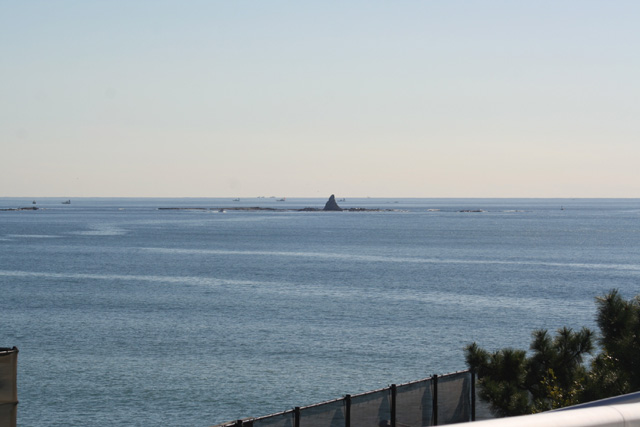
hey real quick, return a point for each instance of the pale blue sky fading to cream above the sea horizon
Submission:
(247, 98)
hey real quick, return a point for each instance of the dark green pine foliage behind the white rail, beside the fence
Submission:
(554, 374)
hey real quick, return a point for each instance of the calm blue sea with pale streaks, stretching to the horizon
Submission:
(129, 315)
